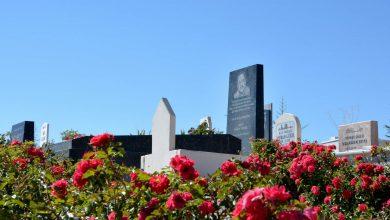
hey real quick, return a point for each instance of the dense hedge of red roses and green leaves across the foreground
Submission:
(296, 181)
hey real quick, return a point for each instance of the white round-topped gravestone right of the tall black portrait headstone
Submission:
(287, 129)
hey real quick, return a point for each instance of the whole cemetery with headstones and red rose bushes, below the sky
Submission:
(260, 169)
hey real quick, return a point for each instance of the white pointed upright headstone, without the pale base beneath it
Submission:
(163, 128)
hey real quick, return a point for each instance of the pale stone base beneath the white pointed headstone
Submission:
(205, 162)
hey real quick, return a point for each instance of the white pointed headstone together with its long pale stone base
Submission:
(164, 145)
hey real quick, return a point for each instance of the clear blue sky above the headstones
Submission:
(99, 66)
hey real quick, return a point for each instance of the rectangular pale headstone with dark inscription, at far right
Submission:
(358, 135)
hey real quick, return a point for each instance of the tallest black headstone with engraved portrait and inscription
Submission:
(246, 105)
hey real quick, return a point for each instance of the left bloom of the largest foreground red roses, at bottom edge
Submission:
(252, 206)
